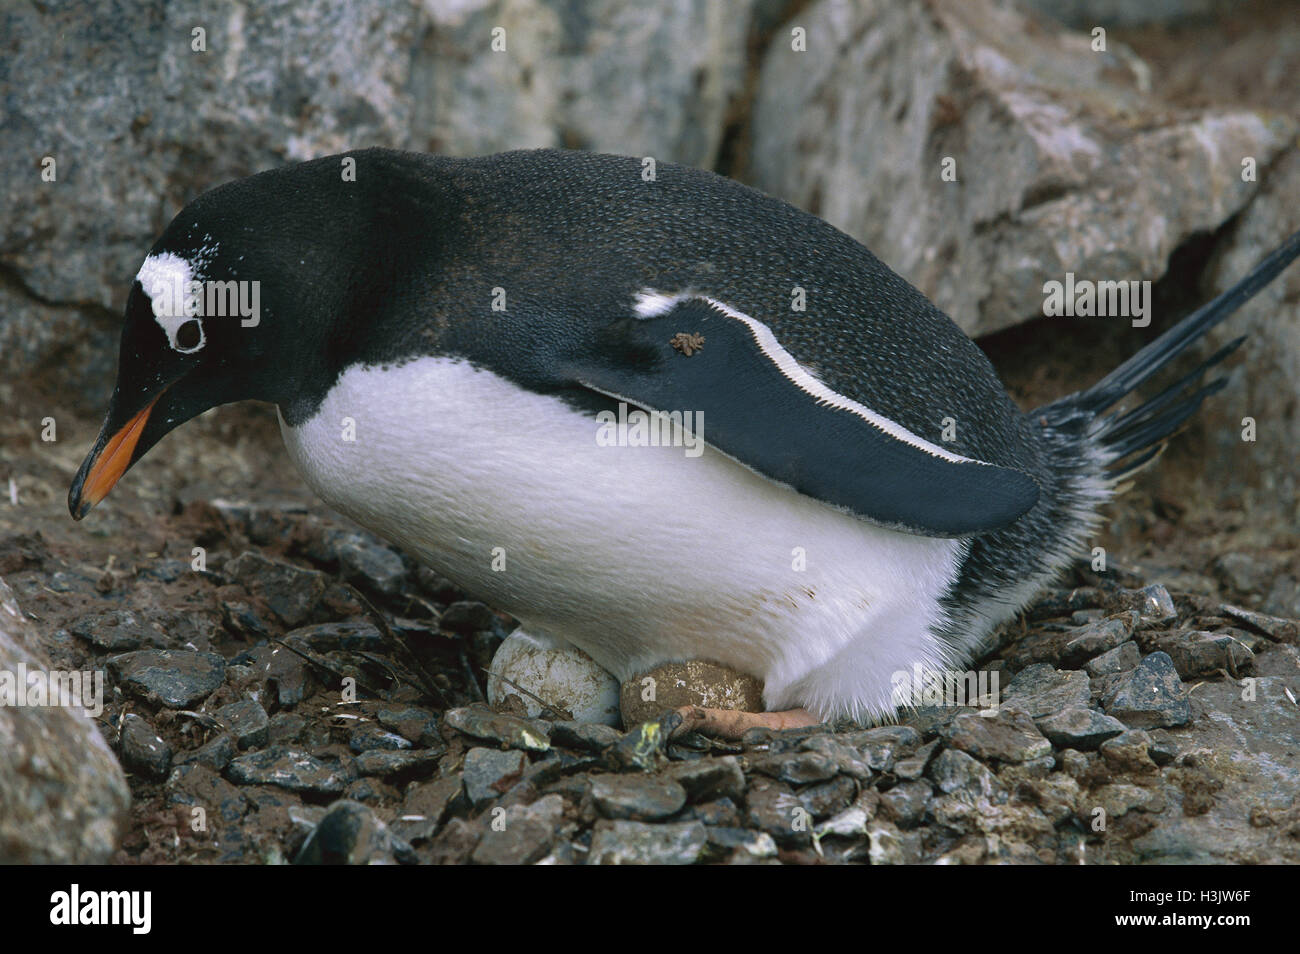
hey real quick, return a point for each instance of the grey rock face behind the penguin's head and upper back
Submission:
(281, 83)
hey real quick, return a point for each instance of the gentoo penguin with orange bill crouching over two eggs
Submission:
(834, 487)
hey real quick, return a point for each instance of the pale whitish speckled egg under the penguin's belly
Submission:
(556, 671)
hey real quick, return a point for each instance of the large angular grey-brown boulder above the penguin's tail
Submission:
(1064, 162)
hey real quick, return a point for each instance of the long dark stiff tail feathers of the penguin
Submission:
(1143, 431)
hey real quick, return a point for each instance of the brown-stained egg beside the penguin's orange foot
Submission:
(696, 683)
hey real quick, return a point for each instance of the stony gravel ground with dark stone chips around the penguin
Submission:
(320, 699)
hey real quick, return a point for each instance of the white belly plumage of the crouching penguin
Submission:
(639, 556)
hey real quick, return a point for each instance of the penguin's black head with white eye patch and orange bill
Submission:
(235, 302)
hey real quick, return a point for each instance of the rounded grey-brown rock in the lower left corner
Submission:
(63, 792)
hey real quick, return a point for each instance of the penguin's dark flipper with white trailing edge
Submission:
(765, 411)
